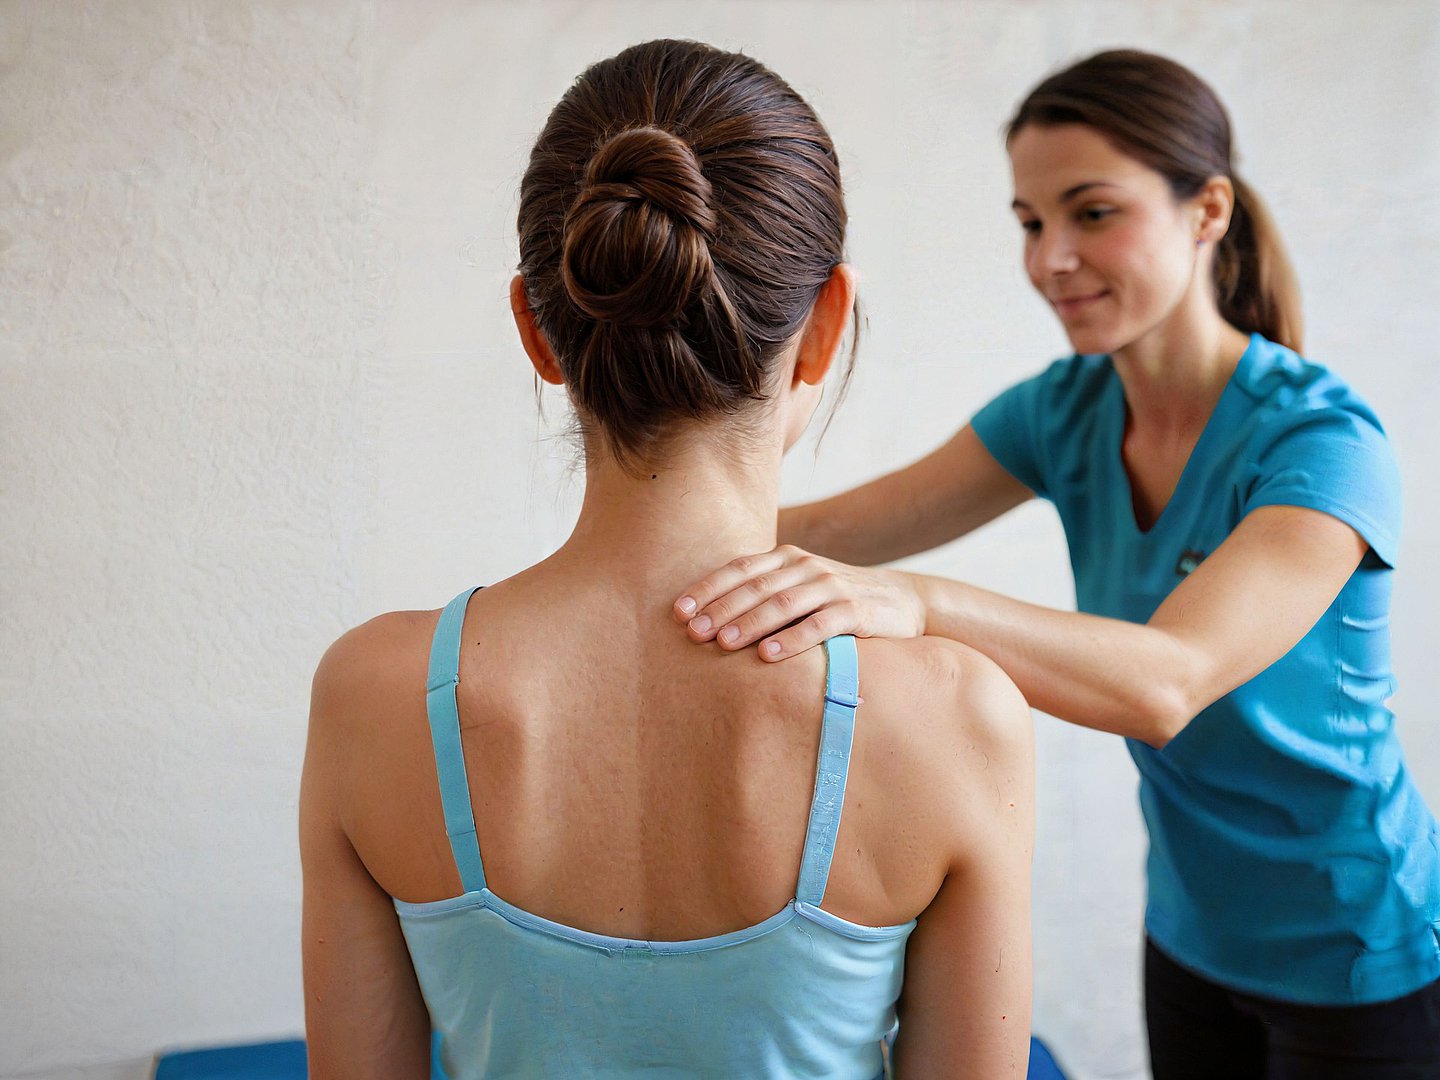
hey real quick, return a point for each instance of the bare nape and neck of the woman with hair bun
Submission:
(654, 534)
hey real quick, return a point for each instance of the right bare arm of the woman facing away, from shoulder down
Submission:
(967, 997)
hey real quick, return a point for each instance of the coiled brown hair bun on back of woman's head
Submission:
(637, 240)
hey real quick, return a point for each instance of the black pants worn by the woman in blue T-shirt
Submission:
(1205, 1032)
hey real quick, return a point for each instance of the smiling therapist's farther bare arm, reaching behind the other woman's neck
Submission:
(947, 495)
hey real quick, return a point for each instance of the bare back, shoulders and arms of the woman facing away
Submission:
(630, 784)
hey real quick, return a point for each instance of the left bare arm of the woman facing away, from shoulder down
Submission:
(365, 1016)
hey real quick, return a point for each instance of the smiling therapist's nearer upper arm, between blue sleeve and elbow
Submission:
(1252, 601)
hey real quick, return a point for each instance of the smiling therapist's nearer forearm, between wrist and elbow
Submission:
(1108, 675)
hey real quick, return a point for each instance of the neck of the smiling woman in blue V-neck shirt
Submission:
(1174, 375)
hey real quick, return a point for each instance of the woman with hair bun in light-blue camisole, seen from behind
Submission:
(557, 833)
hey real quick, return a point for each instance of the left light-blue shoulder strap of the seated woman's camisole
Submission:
(450, 755)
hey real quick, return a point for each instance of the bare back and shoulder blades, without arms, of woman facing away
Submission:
(630, 784)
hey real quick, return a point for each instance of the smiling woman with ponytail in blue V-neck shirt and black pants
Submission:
(1233, 512)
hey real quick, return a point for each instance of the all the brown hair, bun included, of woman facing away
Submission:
(679, 217)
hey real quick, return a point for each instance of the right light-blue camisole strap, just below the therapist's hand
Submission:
(836, 737)
